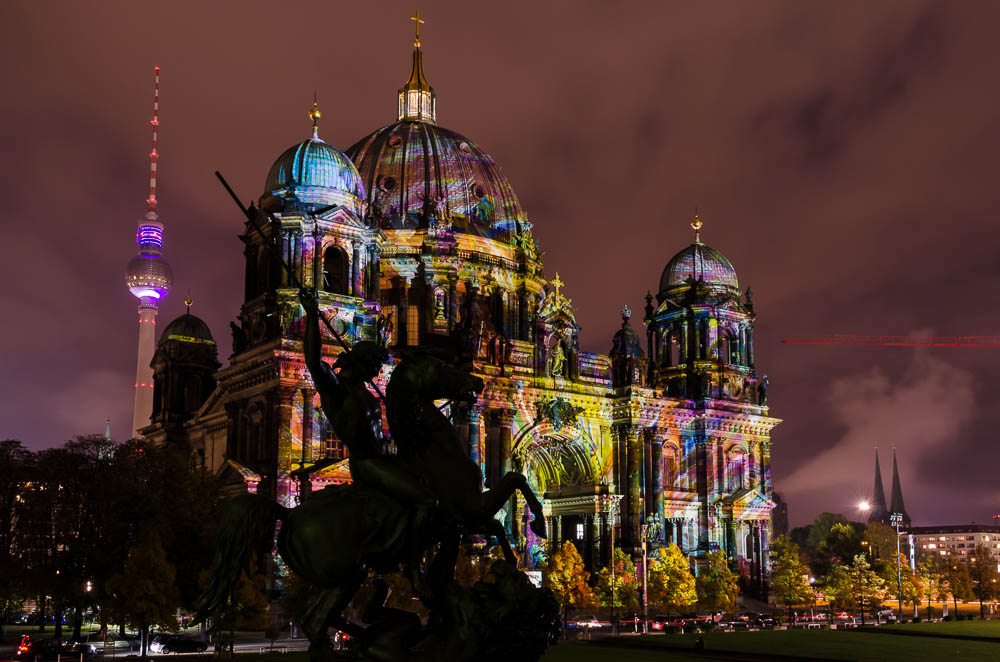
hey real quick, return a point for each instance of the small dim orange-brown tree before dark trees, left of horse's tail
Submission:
(145, 594)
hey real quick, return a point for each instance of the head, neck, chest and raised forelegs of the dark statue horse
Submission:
(427, 441)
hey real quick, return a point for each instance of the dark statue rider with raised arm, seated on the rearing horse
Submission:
(356, 417)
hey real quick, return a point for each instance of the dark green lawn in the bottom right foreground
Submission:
(837, 645)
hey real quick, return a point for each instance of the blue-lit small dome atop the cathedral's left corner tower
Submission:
(315, 174)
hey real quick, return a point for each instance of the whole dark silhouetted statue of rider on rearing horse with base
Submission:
(398, 507)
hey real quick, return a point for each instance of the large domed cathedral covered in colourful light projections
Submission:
(414, 237)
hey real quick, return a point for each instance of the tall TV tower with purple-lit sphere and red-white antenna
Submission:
(148, 277)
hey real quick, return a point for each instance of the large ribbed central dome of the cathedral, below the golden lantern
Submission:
(412, 166)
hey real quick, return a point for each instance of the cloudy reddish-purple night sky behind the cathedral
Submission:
(842, 155)
